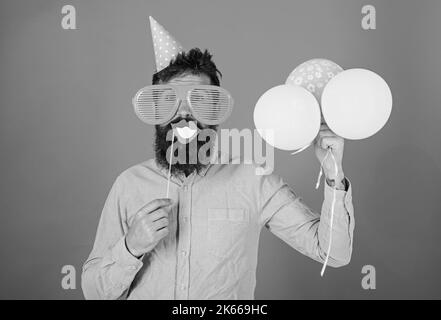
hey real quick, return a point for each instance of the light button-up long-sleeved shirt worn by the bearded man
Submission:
(211, 249)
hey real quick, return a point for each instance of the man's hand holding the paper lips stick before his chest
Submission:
(148, 227)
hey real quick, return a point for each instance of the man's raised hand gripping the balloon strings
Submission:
(326, 139)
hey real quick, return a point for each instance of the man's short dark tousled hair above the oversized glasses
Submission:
(192, 62)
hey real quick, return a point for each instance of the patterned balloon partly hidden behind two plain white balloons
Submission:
(313, 75)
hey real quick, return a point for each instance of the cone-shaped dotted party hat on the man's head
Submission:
(165, 45)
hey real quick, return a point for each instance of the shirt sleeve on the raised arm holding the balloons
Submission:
(290, 219)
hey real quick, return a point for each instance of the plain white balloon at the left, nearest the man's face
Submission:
(287, 117)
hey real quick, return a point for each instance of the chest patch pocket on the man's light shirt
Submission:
(227, 231)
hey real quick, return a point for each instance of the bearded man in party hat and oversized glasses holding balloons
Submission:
(202, 241)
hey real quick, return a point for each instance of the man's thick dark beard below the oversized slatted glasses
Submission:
(162, 145)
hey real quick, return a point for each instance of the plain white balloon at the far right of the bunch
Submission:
(356, 103)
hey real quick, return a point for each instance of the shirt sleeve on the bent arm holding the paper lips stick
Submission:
(110, 268)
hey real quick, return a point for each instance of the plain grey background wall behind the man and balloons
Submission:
(67, 130)
